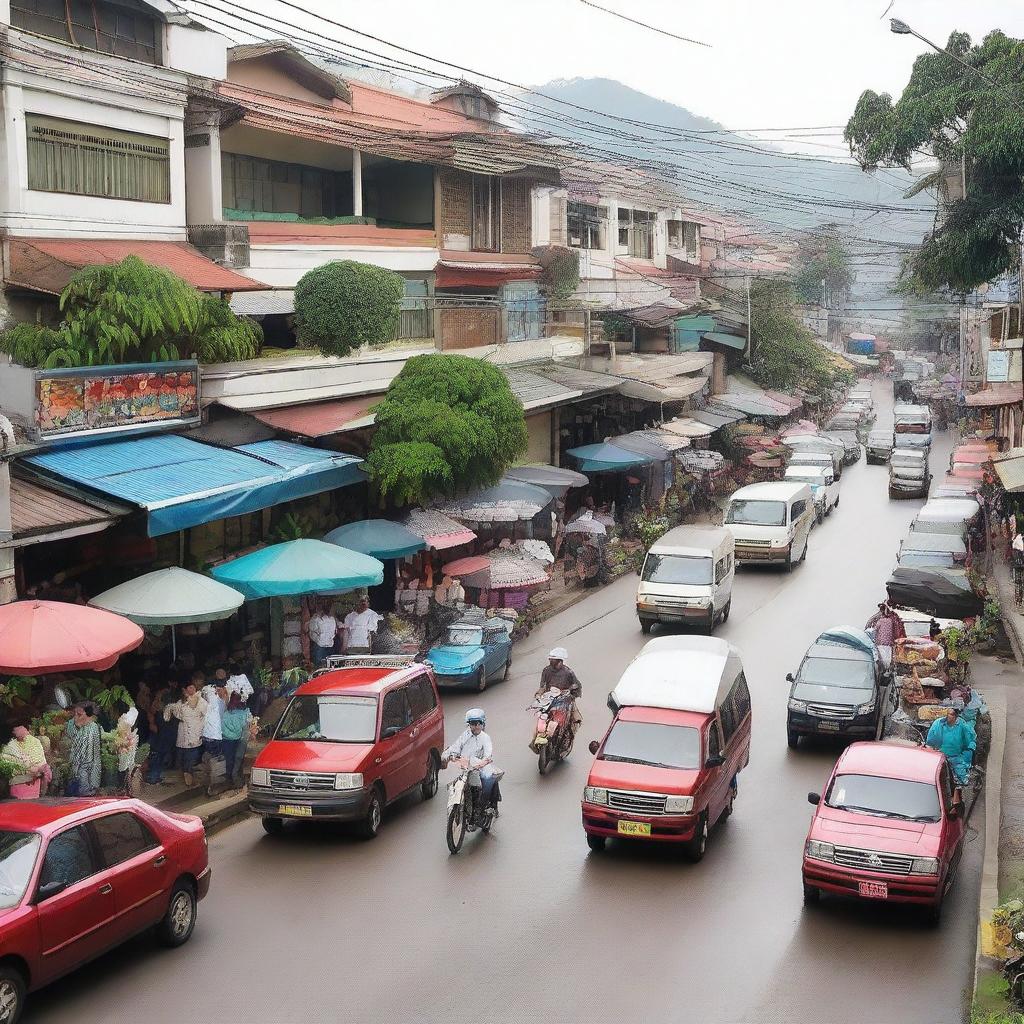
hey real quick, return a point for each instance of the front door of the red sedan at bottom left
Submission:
(75, 904)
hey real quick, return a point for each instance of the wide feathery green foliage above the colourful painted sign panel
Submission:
(134, 313)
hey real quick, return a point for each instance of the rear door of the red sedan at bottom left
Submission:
(139, 867)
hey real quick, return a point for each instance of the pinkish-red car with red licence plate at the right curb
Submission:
(890, 827)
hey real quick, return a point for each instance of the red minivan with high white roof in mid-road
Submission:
(667, 767)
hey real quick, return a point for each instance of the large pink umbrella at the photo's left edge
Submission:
(37, 637)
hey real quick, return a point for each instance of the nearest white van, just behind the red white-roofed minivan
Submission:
(688, 578)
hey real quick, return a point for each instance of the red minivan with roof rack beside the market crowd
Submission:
(351, 742)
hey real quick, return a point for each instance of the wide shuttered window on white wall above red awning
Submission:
(91, 160)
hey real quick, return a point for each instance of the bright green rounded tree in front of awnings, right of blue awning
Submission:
(448, 423)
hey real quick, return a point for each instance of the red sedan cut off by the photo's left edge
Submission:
(79, 877)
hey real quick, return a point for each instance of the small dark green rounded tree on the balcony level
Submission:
(345, 306)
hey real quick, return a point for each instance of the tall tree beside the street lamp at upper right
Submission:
(969, 119)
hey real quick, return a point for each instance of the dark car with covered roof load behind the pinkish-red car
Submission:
(842, 689)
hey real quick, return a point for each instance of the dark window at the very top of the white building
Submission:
(125, 29)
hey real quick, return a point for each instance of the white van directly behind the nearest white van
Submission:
(772, 523)
